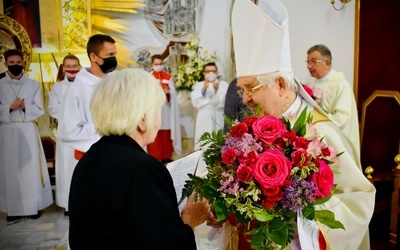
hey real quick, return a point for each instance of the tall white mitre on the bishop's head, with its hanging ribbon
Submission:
(261, 40)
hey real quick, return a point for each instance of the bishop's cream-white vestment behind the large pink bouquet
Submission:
(354, 199)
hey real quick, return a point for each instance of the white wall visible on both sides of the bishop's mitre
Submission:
(310, 22)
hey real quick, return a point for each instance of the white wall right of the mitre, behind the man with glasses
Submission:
(315, 21)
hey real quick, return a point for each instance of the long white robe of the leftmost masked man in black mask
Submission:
(24, 179)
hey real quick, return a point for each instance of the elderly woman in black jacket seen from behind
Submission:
(120, 197)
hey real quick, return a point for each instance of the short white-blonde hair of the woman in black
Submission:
(123, 99)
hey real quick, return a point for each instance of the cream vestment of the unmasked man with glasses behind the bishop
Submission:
(339, 103)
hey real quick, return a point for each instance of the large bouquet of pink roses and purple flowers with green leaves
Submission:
(263, 173)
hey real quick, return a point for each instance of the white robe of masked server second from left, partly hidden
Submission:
(65, 160)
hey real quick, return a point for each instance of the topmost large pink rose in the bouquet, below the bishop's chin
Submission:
(268, 129)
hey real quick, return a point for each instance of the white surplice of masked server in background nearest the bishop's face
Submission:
(210, 108)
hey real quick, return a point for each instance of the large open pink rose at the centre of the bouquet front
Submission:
(271, 169)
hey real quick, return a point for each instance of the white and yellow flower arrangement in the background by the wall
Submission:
(190, 71)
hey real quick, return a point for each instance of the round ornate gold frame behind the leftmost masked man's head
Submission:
(14, 36)
